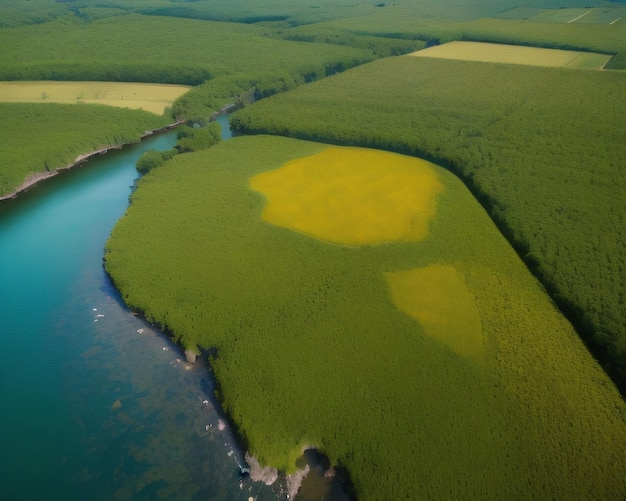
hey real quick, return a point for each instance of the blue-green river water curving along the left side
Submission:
(94, 403)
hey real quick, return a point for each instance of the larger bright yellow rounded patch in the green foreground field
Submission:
(352, 196)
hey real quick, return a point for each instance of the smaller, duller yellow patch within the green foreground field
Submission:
(437, 297)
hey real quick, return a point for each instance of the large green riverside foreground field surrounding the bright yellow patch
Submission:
(355, 349)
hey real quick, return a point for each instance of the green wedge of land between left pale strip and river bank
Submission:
(43, 137)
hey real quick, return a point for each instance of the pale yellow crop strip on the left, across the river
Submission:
(149, 97)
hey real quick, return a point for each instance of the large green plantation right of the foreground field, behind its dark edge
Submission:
(541, 148)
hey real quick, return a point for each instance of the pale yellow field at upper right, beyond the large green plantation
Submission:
(515, 54)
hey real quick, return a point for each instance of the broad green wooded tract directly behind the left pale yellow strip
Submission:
(148, 49)
